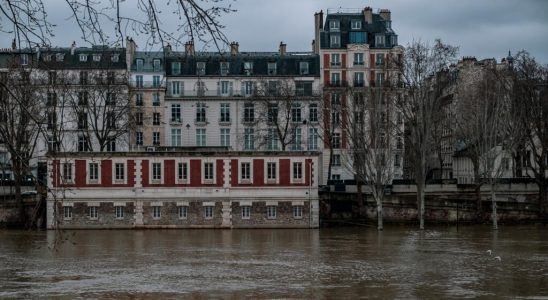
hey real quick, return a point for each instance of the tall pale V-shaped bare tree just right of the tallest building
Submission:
(420, 69)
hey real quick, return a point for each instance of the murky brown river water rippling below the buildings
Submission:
(334, 263)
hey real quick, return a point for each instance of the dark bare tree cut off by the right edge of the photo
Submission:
(530, 83)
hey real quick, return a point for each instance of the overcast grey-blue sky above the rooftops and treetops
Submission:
(482, 28)
